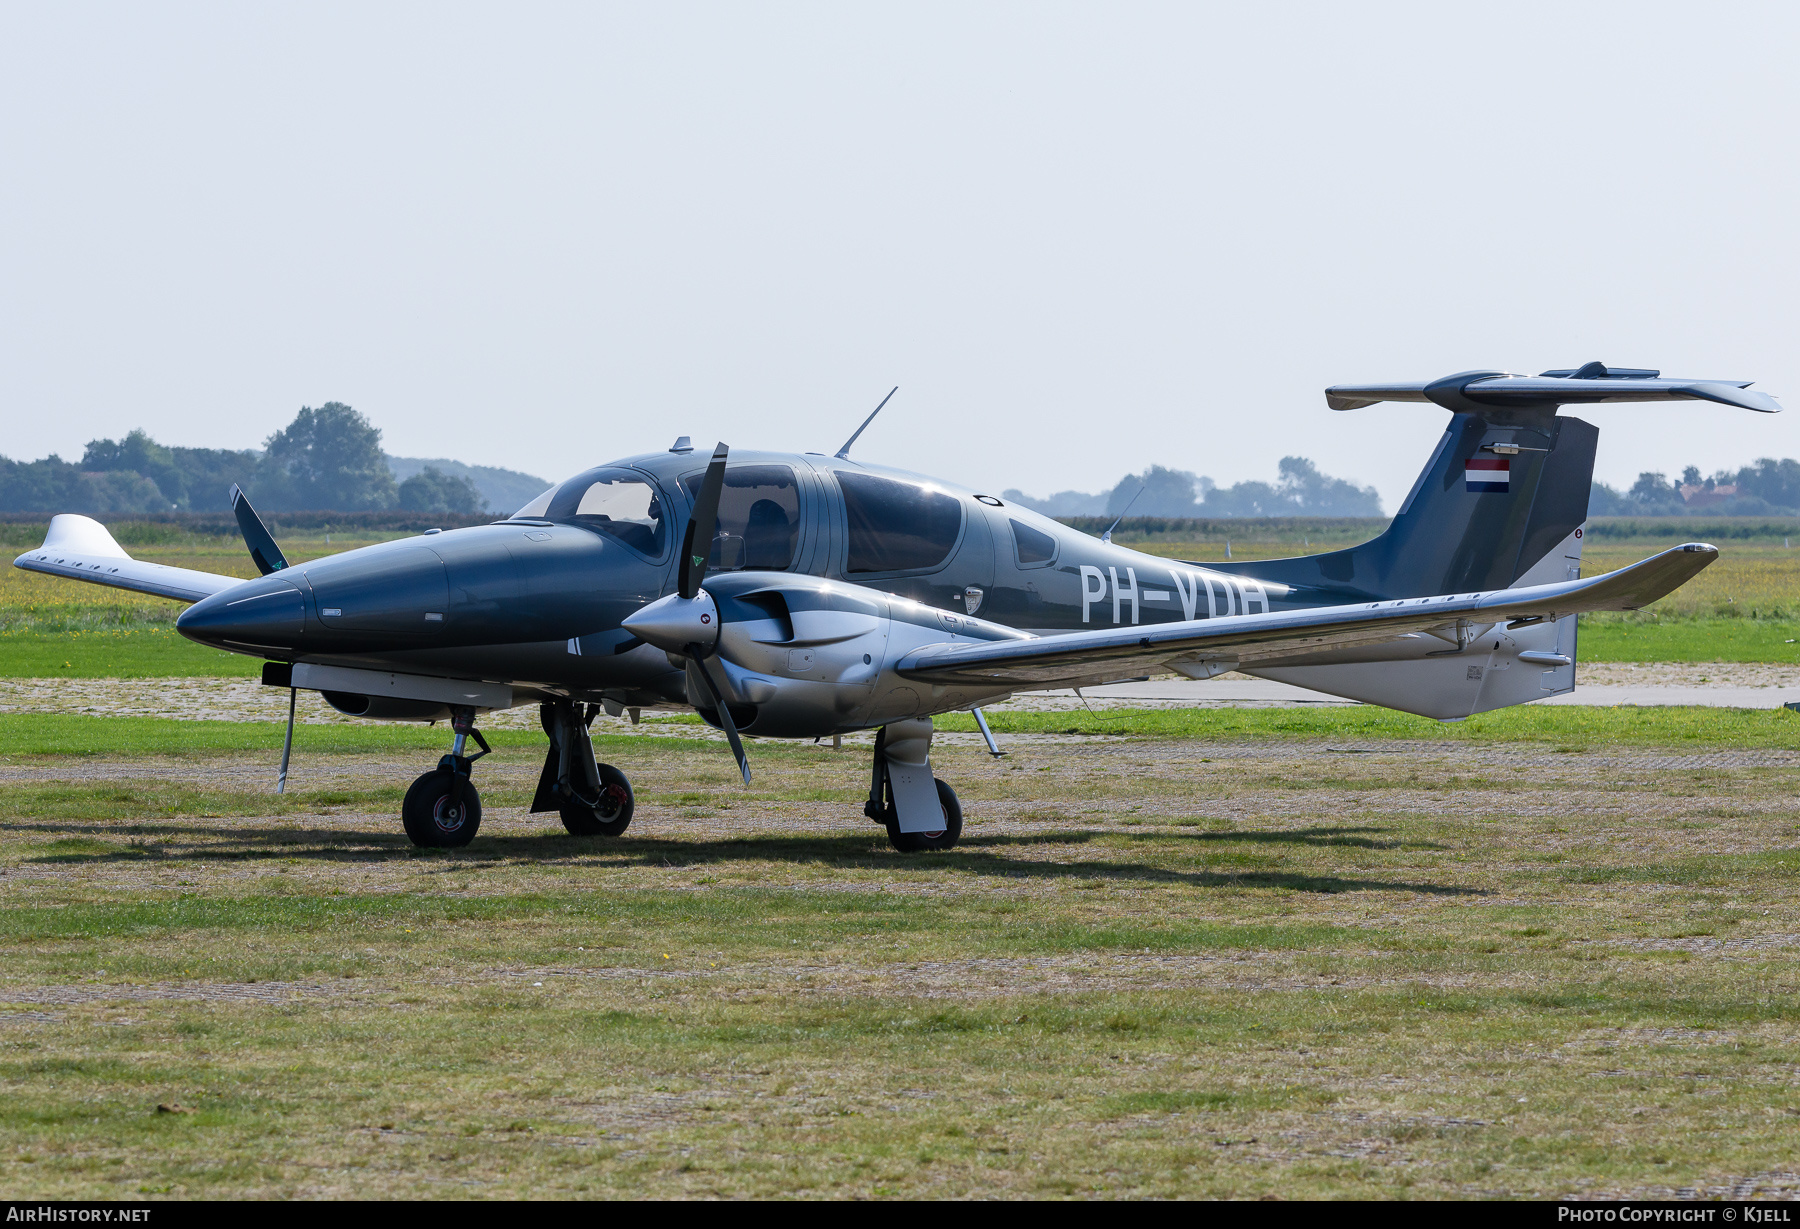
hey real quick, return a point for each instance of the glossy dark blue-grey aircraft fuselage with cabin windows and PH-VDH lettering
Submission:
(537, 600)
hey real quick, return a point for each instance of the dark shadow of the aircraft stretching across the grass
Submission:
(975, 859)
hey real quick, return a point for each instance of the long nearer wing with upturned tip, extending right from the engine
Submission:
(1117, 654)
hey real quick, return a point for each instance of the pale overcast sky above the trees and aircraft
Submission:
(1081, 238)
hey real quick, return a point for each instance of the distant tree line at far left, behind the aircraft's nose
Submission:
(328, 458)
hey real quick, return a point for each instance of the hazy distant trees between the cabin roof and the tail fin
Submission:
(1160, 492)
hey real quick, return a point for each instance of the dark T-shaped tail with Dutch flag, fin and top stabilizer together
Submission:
(1504, 498)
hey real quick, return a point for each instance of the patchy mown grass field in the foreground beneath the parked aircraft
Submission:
(1241, 962)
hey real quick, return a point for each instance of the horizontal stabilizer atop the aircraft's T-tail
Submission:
(1594, 384)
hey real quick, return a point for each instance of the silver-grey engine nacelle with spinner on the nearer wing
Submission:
(805, 658)
